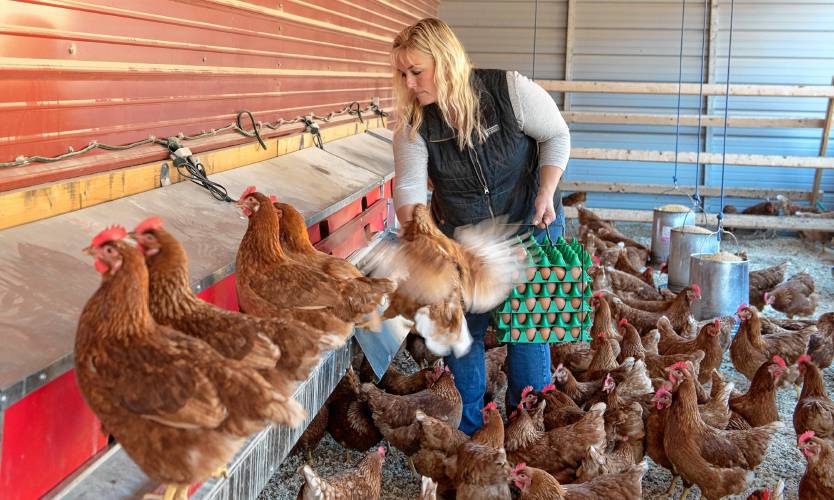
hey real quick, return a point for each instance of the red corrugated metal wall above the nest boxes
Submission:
(118, 71)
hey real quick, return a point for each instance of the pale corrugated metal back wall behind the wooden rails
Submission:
(774, 42)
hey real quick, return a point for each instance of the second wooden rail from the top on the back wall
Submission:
(692, 120)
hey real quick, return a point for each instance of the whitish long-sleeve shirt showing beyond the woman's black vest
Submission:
(537, 116)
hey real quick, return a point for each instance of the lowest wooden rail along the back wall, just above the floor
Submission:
(730, 220)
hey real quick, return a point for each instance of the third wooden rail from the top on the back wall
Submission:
(744, 160)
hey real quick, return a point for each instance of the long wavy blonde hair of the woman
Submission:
(455, 97)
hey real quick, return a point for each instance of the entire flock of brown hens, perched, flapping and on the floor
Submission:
(181, 383)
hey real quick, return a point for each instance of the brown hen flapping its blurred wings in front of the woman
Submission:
(440, 279)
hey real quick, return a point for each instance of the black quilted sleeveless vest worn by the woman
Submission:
(497, 177)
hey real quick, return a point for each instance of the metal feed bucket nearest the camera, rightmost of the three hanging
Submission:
(724, 286)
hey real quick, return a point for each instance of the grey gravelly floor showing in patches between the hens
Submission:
(782, 460)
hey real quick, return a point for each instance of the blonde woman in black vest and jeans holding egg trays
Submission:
(492, 143)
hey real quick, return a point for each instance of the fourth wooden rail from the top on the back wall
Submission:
(666, 189)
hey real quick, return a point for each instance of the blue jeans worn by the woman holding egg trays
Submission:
(527, 364)
